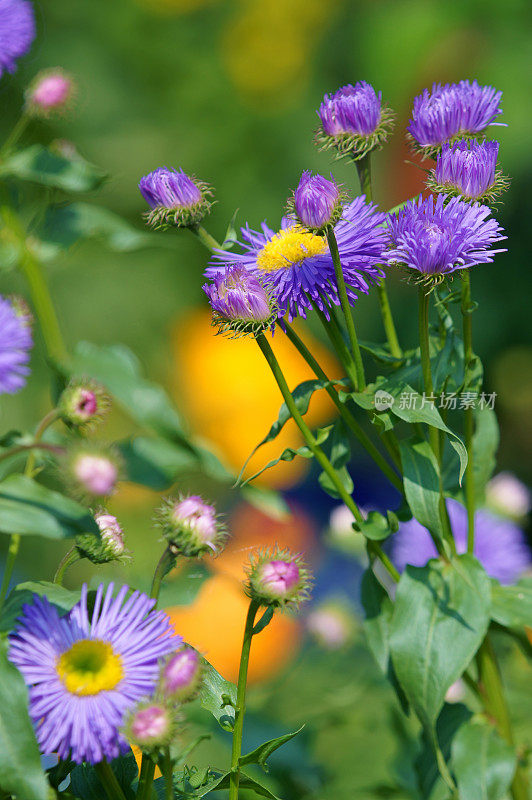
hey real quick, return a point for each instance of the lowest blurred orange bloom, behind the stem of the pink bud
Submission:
(214, 624)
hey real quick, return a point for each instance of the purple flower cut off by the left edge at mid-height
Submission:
(15, 344)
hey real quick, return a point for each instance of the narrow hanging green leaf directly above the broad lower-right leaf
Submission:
(422, 483)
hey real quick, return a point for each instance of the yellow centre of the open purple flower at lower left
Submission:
(89, 667)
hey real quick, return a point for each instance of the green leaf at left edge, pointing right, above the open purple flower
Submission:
(28, 508)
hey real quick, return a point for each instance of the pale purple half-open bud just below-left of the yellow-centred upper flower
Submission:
(241, 304)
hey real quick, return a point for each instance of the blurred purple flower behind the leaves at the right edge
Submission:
(500, 545)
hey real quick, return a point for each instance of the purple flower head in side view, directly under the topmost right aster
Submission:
(468, 169)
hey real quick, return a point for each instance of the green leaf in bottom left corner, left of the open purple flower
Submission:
(21, 774)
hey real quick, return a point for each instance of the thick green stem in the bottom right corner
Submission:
(491, 688)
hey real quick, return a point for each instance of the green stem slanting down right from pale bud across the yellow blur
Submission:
(316, 450)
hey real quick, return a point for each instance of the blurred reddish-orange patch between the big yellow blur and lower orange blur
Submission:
(250, 528)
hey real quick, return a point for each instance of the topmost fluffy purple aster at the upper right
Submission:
(455, 110)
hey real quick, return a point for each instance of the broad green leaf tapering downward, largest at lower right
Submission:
(440, 618)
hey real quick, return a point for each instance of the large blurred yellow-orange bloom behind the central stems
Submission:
(230, 396)
